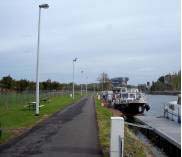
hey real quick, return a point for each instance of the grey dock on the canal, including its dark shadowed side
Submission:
(163, 133)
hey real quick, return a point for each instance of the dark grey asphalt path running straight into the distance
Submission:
(70, 133)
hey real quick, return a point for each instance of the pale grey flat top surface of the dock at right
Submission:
(168, 129)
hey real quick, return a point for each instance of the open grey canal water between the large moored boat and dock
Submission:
(157, 102)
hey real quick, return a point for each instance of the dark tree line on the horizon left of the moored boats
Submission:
(7, 83)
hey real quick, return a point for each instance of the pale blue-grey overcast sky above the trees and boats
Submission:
(139, 39)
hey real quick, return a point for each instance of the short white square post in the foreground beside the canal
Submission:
(117, 137)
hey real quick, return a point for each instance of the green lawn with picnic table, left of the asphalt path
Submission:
(15, 118)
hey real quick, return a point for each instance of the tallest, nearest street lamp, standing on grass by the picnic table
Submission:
(44, 6)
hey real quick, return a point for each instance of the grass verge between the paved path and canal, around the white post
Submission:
(132, 145)
